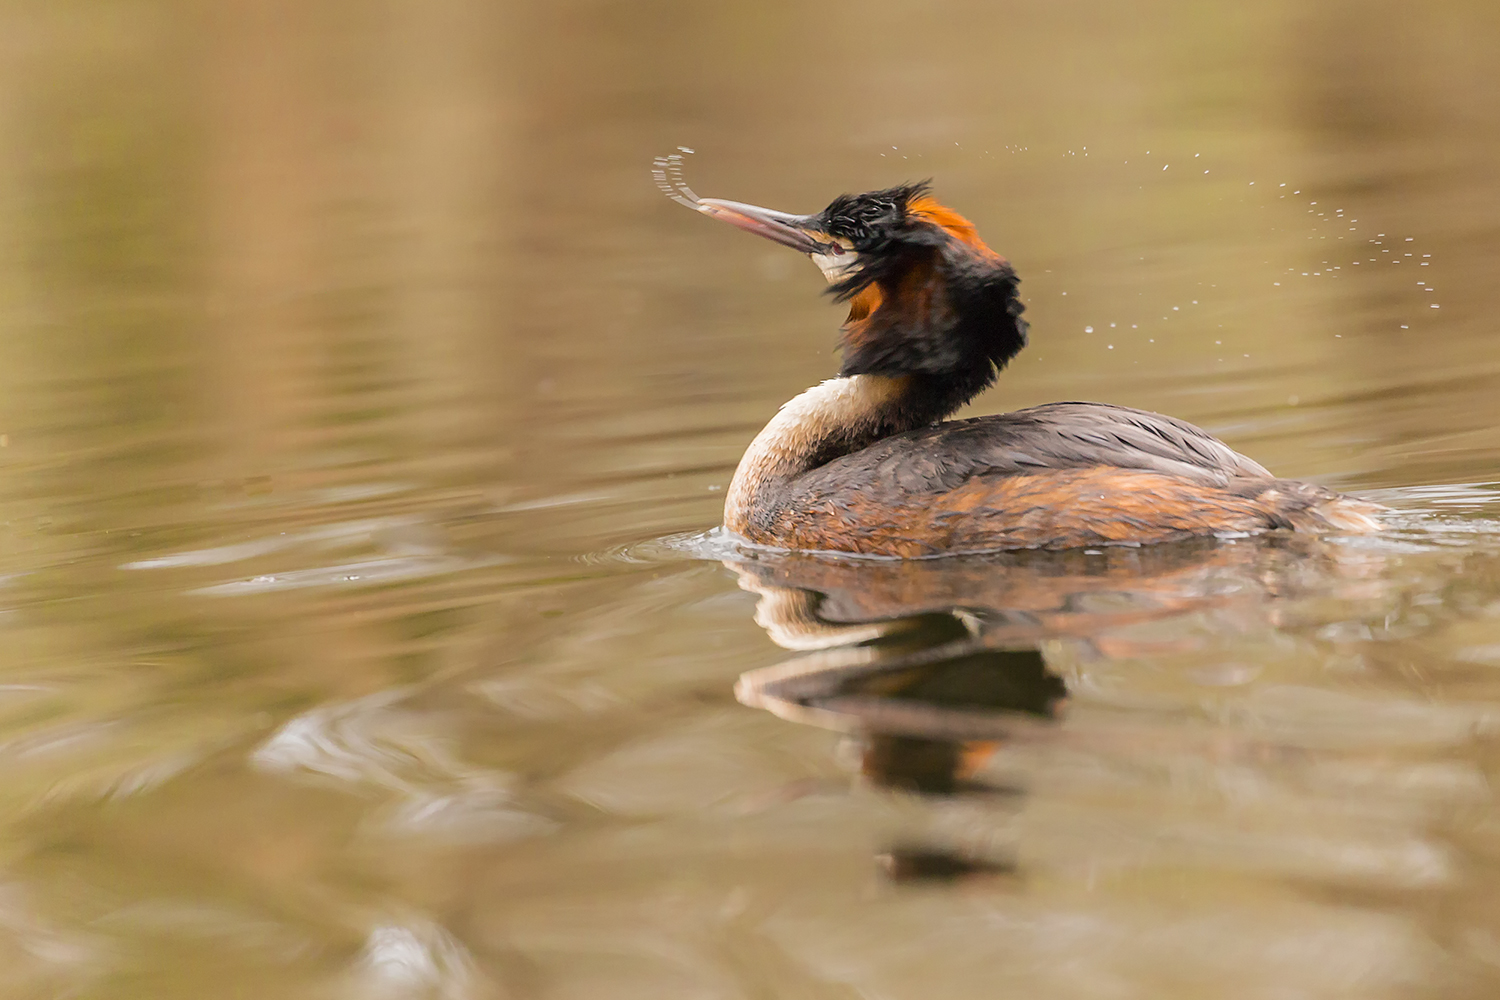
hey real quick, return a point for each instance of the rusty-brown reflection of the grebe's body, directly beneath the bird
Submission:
(812, 602)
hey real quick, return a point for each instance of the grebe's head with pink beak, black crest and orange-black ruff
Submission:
(926, 296)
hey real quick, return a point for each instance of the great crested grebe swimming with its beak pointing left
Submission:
(869, 464)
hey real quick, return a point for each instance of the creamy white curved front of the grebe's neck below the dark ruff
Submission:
(844, 410)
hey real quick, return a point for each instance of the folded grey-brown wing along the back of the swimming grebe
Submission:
(1051, 437)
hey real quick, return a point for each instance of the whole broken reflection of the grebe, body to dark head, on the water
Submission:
(934, 666)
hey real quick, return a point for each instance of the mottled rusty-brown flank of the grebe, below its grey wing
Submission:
(1054, 509)
